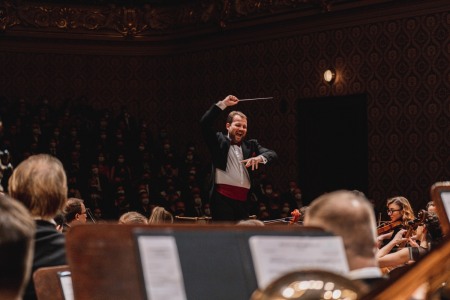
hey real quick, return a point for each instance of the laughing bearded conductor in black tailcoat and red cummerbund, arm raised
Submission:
(234, 159)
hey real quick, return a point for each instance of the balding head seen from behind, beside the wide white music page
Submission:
(350, 216)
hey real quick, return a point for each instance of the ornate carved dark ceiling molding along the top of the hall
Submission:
(149, 18)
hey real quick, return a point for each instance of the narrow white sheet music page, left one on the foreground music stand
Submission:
(161, 267)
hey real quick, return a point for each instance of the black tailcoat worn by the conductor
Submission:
(219, 145)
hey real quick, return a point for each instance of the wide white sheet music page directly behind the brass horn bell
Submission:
(274, 256)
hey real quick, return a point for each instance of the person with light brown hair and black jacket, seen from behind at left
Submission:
(40, 183)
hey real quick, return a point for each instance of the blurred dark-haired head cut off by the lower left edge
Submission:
(17, 229)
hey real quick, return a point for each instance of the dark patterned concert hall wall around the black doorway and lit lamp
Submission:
(400, 61)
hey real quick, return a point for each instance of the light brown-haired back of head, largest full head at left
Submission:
(40, 183)
